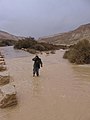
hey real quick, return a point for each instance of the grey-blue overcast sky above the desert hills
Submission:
(39, 18)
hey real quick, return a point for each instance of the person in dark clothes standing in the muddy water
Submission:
(36, 66)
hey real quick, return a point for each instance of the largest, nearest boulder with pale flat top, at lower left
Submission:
(8, 96)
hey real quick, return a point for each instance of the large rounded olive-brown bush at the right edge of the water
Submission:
(79, 53)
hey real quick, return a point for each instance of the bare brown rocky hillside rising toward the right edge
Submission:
(72, 37)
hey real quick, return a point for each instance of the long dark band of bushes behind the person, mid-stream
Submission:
(33, 44)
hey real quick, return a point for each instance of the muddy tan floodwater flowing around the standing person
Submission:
(62, 92)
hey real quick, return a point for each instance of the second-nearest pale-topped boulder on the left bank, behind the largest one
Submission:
(4, 78)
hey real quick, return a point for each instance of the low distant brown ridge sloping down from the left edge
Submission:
(7, 36)
